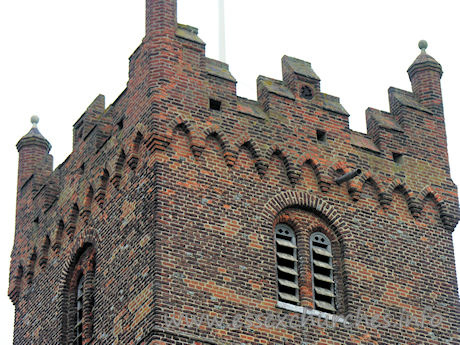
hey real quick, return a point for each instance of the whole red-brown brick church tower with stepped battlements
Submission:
(263, 222)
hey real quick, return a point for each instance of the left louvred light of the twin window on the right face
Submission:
(287, 267)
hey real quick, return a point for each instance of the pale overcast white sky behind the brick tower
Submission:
(57, 56)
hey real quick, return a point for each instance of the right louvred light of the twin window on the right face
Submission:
(322, 273)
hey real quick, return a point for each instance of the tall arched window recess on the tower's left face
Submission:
(78, 299)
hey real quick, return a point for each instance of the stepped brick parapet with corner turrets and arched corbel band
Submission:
(293, 129)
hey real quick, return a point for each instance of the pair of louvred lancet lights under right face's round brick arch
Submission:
(323, 286)
